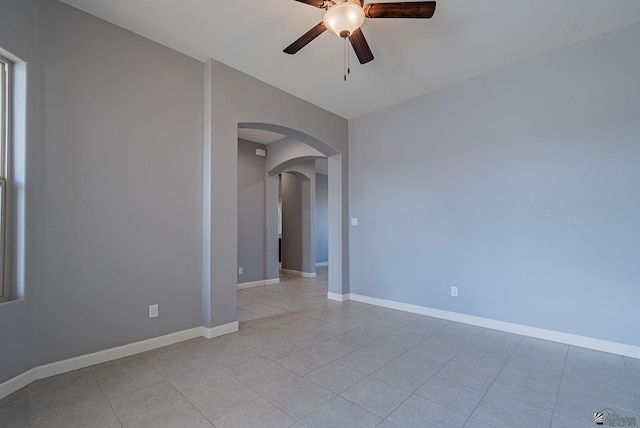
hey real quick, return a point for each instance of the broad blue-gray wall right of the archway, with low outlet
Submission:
(521, 187)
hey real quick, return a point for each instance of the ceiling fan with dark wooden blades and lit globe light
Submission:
(345, 17)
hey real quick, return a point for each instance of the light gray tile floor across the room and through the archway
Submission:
(300, 360)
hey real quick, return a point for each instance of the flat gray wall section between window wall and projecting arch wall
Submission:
(121, 126)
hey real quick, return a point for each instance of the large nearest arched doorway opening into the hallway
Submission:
(272, 159)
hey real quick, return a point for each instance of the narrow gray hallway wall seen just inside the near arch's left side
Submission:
(251, 212)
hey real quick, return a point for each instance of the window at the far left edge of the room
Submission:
(5, 79)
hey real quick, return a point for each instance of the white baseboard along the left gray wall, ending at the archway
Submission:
(12, 385)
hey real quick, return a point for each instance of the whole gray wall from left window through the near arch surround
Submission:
(115, 175)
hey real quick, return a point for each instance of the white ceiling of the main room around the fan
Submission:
(463, 40)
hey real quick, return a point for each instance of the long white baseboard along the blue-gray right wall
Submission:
(524, 330)
